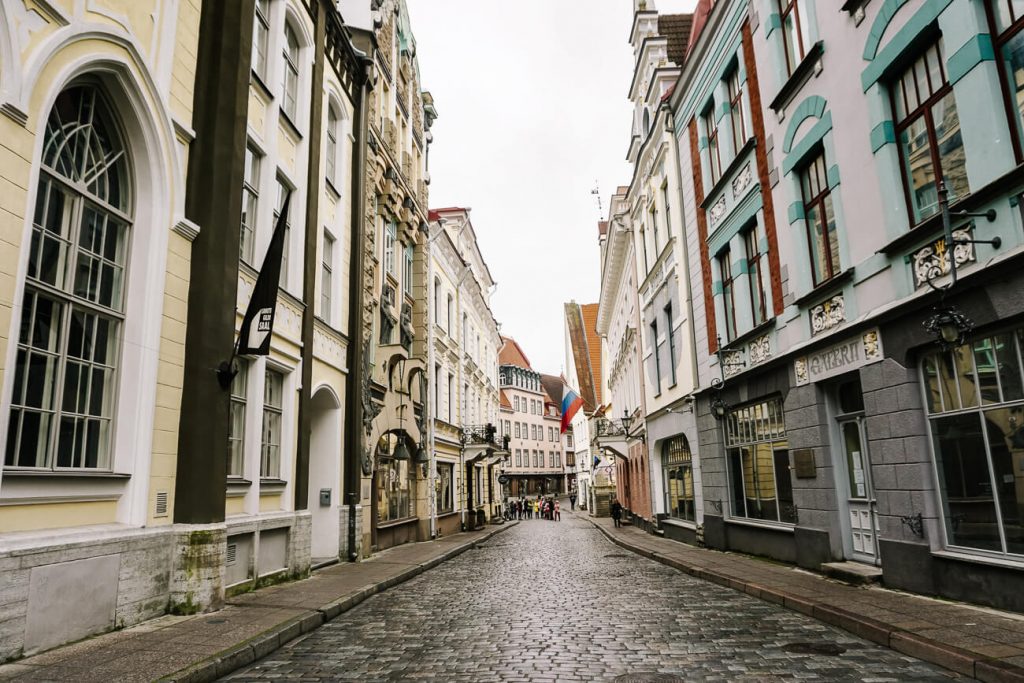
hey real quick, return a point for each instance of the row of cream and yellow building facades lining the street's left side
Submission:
(148, 150)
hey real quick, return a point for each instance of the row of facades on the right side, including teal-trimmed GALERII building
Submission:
(810, 314)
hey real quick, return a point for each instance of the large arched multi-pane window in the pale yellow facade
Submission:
(73, 309)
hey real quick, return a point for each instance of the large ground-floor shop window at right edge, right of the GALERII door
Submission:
(975, 400)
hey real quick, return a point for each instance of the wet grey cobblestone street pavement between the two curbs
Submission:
(556, 602)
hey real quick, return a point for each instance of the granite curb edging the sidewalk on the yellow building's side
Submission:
(258, 648)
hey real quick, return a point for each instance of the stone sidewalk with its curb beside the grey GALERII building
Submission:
(985, 644)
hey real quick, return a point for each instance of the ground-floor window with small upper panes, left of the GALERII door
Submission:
(759, 463)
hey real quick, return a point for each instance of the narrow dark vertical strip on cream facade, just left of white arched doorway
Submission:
(310, 263)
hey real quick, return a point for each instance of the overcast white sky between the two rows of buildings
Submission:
(533, 113)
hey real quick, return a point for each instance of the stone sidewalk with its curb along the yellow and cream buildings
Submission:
(251, 626)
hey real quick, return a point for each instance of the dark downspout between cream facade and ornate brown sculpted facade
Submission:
(355, 385)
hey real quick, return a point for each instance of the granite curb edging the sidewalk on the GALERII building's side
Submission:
(989, 670)
